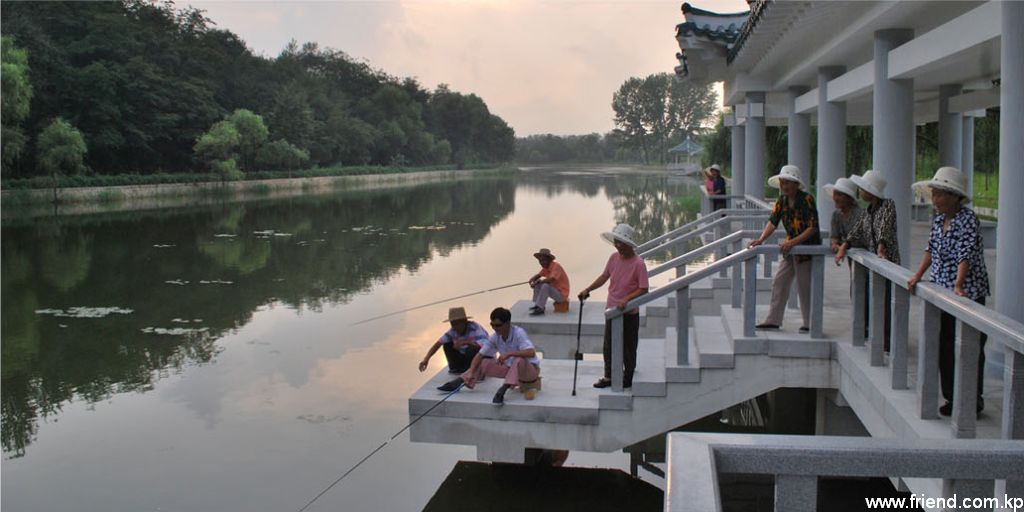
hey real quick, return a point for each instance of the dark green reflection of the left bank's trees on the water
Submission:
(315, 257)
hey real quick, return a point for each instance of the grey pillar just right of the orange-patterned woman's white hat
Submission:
(832, 143)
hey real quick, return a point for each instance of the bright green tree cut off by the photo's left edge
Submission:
(17, 97)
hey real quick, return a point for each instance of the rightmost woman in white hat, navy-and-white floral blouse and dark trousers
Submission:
(956, 258)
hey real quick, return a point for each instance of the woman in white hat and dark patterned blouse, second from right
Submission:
(876, 232)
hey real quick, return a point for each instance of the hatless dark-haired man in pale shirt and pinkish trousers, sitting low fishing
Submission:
(507, 354)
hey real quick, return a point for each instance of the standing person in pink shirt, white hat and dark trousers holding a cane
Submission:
(629, 281)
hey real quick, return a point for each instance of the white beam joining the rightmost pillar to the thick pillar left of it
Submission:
(933, 50)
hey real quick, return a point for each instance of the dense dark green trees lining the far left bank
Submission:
(133, 87)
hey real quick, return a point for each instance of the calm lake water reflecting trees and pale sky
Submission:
(206, 359)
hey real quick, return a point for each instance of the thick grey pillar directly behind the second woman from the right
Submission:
(893, 137)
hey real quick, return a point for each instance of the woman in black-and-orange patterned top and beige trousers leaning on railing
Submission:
(799, 215)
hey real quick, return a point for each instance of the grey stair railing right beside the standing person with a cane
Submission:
(744, 295)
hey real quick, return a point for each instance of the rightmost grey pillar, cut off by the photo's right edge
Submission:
(1010, 231)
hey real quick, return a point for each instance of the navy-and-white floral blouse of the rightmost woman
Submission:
(961, 243)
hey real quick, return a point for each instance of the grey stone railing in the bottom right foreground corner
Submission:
(970, 466)
